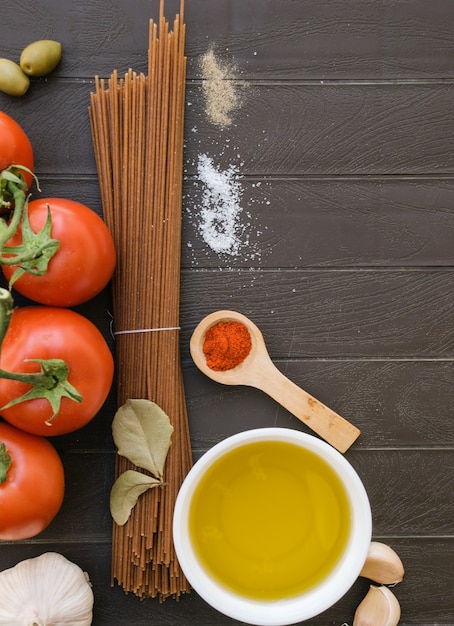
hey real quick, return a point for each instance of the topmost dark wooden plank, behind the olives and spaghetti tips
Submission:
(381, 39)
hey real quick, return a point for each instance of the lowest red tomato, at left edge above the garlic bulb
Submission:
(32, 492)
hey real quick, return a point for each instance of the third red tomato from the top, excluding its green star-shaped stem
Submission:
(41, 332)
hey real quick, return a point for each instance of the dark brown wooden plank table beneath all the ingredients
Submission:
(344, 141)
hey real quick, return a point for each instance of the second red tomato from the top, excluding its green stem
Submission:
(84, 263)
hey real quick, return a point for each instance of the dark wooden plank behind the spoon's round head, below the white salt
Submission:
(335, 313)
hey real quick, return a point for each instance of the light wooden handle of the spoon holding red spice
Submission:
(329, 425)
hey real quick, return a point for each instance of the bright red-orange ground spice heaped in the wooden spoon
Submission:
(226, 345)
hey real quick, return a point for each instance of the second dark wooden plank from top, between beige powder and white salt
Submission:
(296, 129)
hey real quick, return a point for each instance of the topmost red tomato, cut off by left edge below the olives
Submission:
(15, 146)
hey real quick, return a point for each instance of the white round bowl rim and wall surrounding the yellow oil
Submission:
(299, 607)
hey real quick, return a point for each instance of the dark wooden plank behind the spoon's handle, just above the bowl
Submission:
(404, 404)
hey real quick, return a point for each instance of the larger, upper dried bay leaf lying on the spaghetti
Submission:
(142, 433)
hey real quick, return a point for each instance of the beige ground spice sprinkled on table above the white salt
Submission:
(221, 93)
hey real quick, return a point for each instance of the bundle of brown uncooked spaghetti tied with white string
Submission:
(137, 130)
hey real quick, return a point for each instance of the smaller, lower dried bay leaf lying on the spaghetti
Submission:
(125, 492)
